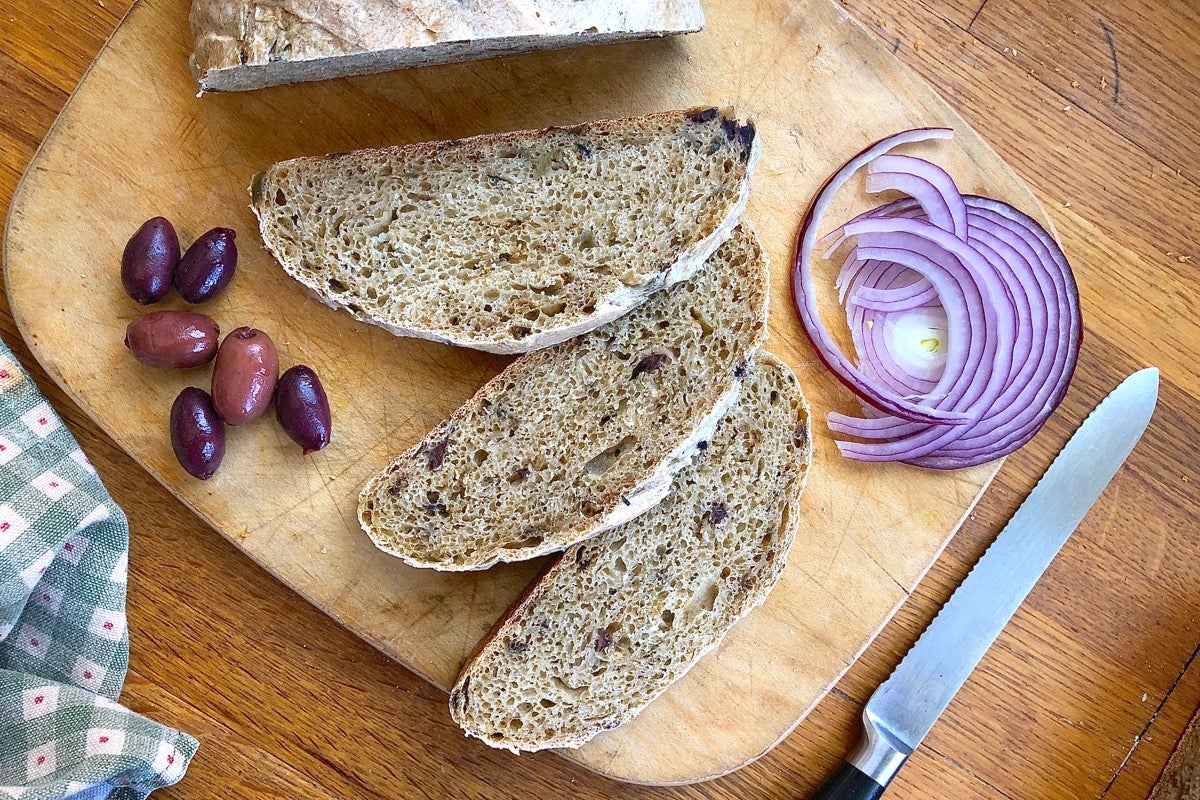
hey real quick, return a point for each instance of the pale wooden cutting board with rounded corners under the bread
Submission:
(135, 141)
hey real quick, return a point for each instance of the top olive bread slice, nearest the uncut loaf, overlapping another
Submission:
(517, 242)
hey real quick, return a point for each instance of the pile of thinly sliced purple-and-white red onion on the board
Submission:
(1012, 324)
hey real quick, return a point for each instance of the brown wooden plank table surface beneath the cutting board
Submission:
(1085, 694)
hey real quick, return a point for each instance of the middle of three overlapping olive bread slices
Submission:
(575, 440)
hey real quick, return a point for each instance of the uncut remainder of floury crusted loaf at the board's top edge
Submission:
(242, 45)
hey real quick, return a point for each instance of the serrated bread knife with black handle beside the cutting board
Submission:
(905, 707)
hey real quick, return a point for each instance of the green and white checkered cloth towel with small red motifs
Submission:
(64, 646)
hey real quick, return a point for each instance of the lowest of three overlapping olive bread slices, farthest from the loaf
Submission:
(619, 618)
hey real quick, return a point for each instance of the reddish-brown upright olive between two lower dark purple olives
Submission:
(244, 376)
